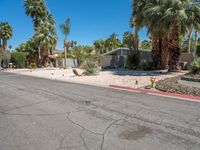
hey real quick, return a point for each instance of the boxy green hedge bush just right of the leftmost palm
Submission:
(19, 59)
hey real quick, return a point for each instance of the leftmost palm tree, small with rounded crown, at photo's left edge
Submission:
(6, 33)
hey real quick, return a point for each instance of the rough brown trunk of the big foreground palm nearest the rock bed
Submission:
(174, 49)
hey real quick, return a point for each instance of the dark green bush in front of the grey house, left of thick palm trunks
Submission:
(133, 61)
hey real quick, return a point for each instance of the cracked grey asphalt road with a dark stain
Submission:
(40, 114)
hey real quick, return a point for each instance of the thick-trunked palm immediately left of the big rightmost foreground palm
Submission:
(159, 36)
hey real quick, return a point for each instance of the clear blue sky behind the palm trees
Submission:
(90, 19)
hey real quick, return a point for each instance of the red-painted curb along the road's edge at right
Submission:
(183, 96)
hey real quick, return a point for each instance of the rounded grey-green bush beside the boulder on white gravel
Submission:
(90, 67)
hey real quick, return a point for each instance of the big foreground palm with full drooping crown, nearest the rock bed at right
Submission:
(177, 13)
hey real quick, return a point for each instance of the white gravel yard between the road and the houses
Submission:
(119, 77)
